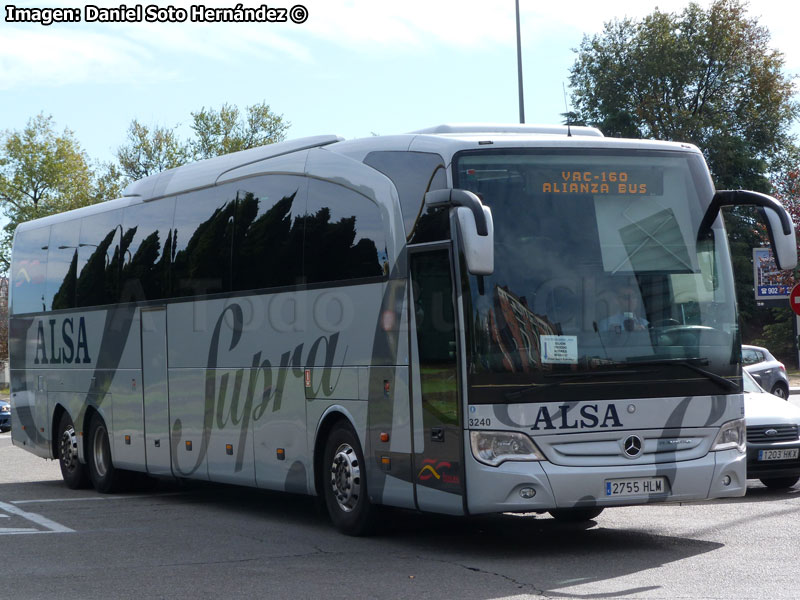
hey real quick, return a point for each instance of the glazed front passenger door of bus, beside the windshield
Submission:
(438, 468)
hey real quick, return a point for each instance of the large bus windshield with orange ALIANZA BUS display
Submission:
(601, 289)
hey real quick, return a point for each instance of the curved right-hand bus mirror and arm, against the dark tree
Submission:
(779, 224)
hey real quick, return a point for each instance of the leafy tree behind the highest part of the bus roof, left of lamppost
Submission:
(225, 131)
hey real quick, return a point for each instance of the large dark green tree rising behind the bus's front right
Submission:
(705, 77)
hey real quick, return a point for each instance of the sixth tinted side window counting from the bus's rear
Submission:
(268, 249)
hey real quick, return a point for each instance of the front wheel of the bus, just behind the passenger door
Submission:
(345, 483)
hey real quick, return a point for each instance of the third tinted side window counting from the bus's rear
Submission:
(98, 259)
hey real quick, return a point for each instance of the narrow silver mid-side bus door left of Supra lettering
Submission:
(155, 390)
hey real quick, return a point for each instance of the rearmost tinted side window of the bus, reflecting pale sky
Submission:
(30, 270)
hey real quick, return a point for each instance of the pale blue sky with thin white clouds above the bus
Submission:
(352, 68)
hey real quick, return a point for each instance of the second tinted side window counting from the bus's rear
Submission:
(62, 265)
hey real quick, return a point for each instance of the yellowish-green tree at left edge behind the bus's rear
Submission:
(41, 173)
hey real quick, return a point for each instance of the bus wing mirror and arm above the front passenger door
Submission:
(475, 225)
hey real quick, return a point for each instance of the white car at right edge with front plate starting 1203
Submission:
(773, 442)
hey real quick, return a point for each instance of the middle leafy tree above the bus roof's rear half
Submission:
(151, 150)
